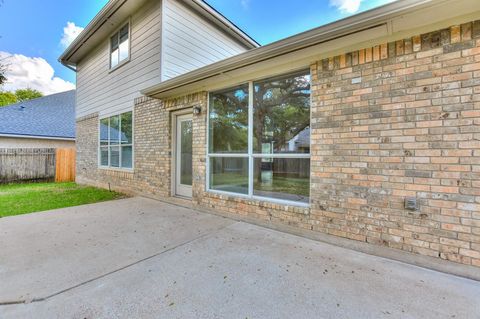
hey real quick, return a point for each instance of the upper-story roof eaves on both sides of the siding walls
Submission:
(103, 24)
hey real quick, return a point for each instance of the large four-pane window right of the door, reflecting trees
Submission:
(259, 139)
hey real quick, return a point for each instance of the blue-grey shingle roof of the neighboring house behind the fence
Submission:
(51, 116)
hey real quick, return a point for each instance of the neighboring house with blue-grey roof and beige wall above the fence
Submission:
(46, 122)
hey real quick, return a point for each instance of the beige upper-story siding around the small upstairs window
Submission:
(109, 92)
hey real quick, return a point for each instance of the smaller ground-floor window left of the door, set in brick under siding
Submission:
(116, 141)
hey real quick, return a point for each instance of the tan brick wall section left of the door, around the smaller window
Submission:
(151, 147)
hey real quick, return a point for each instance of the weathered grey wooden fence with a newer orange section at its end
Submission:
(39, 164)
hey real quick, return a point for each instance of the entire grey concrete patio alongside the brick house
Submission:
(140, 258)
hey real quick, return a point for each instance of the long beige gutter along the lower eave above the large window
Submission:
(360, 22)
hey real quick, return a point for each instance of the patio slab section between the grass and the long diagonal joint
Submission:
(45, 253)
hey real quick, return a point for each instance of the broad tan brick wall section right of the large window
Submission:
(401, 120)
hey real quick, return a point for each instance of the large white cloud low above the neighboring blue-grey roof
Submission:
(34, 73)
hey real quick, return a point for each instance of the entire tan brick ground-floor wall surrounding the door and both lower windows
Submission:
(397, 120)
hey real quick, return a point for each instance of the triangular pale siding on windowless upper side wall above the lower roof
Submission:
(190, 42)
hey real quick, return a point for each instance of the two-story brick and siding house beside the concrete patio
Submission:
(390, 98)
